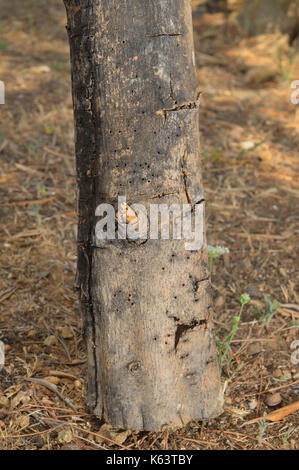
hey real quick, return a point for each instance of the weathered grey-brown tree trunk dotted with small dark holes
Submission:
(146, 305)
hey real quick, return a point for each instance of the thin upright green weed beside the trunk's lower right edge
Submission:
(224, 351)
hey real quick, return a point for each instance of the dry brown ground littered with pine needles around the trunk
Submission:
(249, 143)
